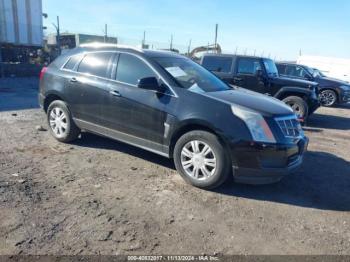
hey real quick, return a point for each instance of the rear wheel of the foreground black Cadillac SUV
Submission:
(60, 122)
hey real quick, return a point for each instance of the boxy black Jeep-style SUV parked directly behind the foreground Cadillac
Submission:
(261, 75)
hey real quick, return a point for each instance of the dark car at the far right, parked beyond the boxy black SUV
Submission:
(332, 91)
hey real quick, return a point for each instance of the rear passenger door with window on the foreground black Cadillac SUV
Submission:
(88, 86)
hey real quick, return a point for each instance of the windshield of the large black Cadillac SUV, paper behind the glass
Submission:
(190, 75)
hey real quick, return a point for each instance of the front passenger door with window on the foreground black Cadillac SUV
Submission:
(131, 110)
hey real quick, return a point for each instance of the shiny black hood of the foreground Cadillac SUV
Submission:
(267, 106)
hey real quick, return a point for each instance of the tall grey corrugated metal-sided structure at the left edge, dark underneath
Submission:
(21, 33)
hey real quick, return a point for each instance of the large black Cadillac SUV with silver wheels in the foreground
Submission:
(167, 104)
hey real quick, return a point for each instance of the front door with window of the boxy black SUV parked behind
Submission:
(246, 77)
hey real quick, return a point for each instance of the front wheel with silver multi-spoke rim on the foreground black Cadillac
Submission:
(208, 177)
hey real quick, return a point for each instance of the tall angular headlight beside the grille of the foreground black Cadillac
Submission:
(256, 124)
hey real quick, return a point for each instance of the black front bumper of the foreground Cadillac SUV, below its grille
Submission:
(258, 163)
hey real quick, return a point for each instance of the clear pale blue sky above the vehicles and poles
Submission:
(280, 29)
